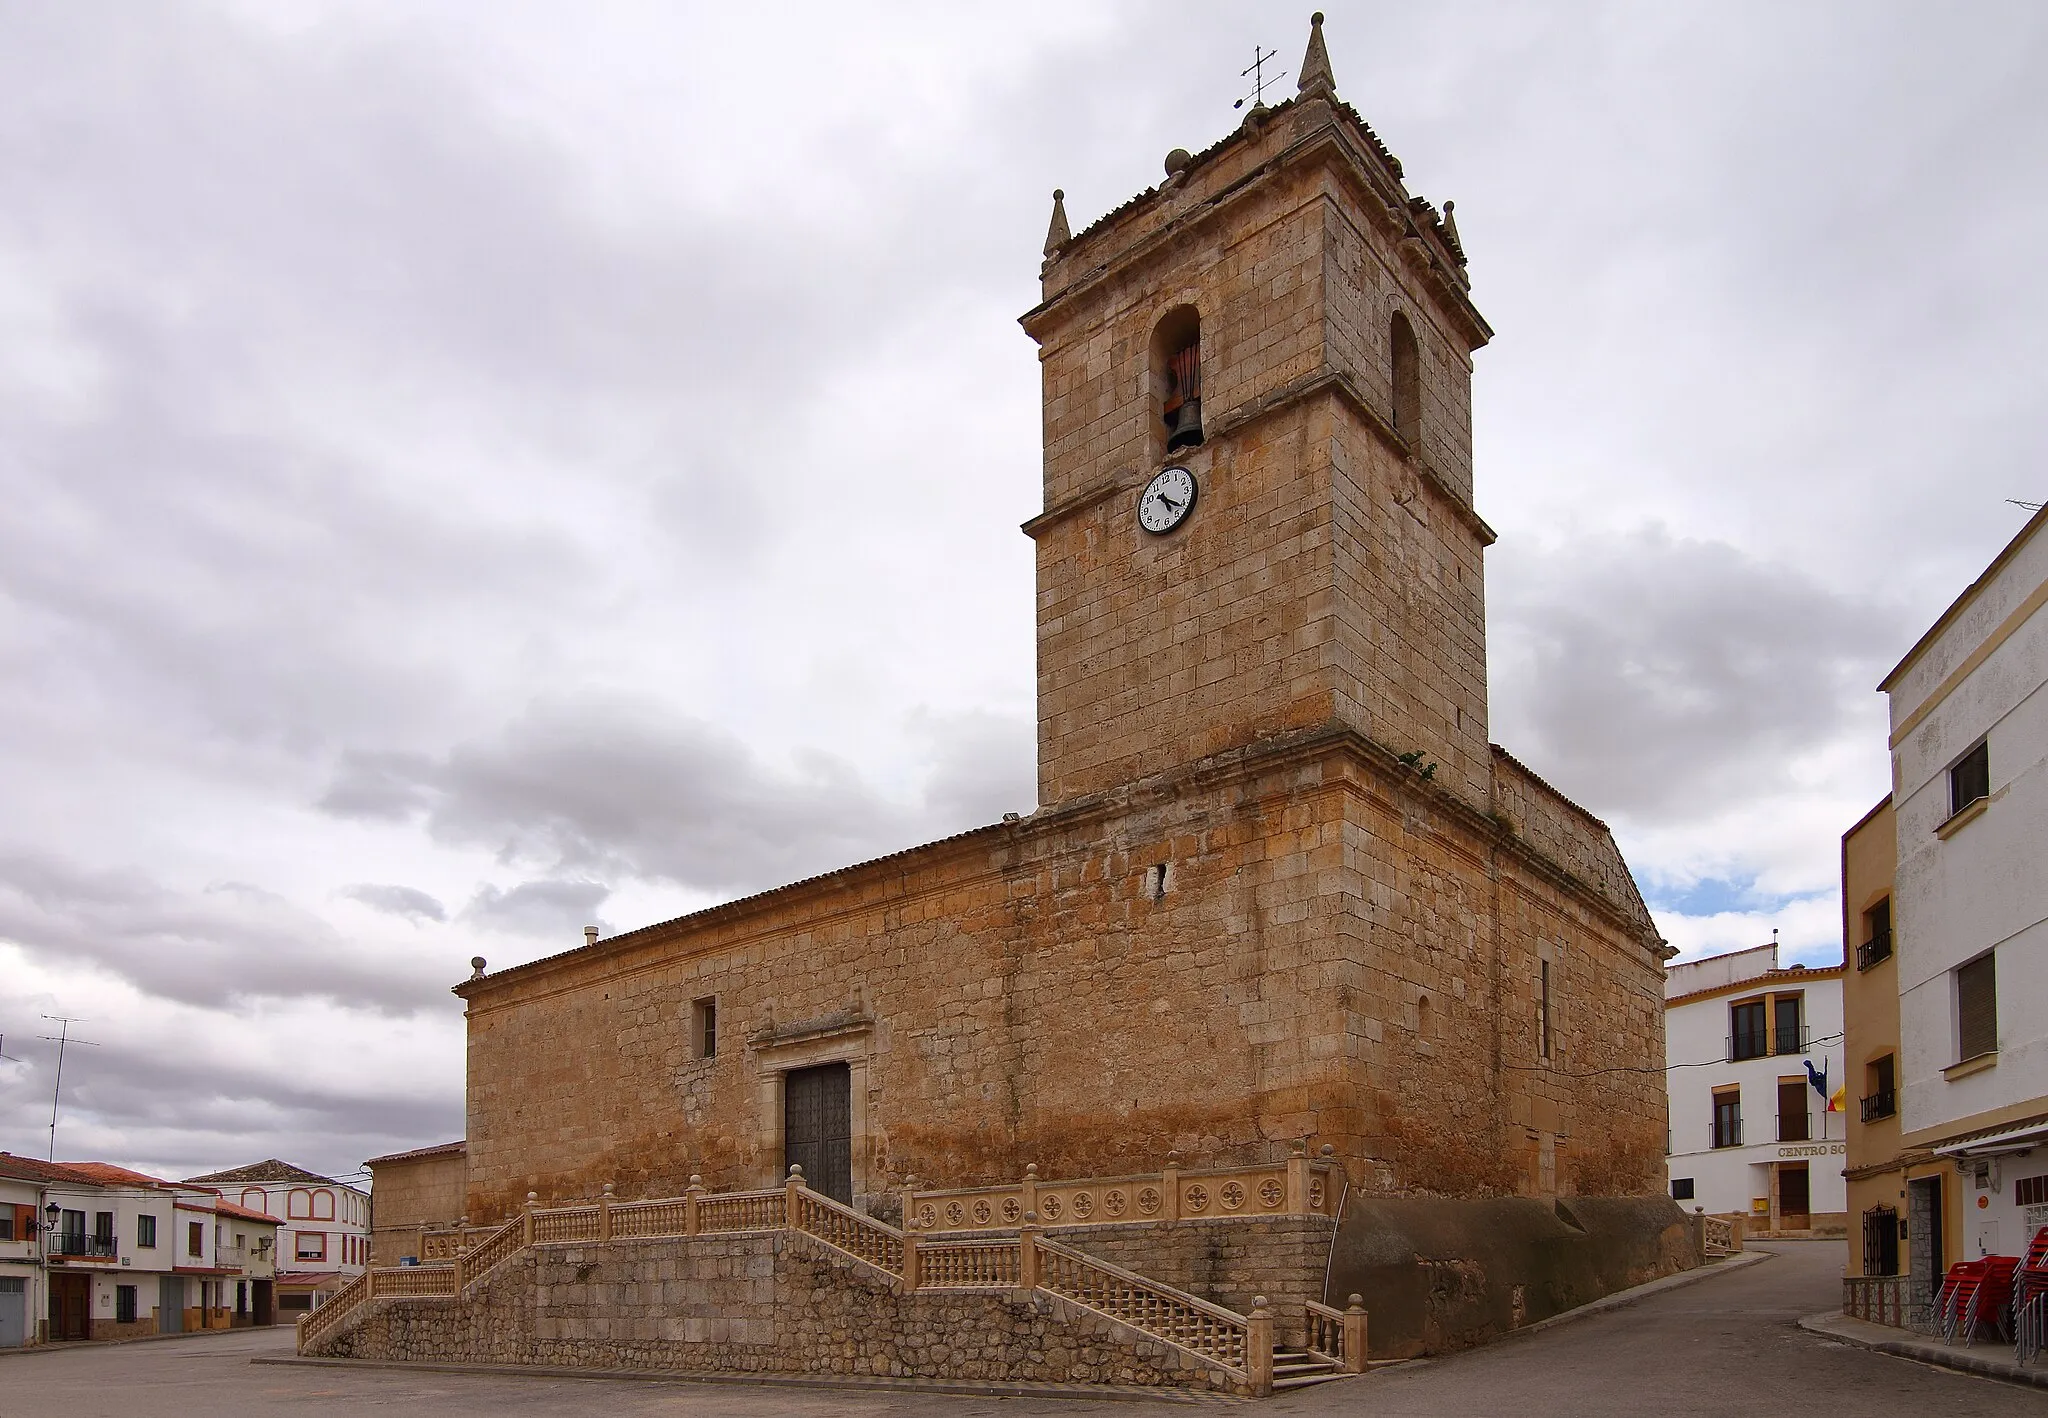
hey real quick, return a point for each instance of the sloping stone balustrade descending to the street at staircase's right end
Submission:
(1213, 1333)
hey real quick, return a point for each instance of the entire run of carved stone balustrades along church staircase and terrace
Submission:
(1025, 1261)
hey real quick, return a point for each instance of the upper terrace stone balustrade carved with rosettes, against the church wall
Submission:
(1302, 1185)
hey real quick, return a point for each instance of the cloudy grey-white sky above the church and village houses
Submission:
(484, 468)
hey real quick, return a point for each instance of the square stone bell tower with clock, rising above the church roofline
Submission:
(1293, 331)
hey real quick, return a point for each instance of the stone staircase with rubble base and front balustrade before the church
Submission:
(794, 1282)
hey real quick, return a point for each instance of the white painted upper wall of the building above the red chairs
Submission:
(1986, 888)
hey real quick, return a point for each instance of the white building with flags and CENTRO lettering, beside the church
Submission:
(1756, 1085)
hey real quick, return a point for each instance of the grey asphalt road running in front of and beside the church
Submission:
(1730, 1345)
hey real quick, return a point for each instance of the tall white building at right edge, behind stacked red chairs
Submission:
(1969, 714)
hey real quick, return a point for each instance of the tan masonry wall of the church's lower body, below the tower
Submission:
(1340, 954)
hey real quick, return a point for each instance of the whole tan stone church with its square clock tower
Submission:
(1281, 899)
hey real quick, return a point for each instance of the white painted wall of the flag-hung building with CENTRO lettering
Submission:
(1730, 1179)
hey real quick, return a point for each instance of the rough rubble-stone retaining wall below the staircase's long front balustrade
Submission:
(757, 1304)
